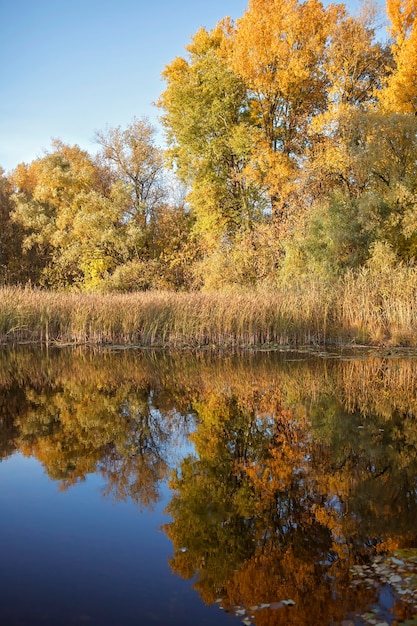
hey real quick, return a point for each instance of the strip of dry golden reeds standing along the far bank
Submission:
(357, 310)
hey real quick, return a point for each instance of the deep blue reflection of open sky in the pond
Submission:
(76, 557)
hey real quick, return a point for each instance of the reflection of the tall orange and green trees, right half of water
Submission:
(300, 493)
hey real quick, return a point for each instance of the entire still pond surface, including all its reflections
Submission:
(267, 488)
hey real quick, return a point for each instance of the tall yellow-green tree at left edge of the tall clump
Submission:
(204, 118)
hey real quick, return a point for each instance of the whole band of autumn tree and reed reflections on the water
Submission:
(301, 469)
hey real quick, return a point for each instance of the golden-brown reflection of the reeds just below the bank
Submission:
(381, 383)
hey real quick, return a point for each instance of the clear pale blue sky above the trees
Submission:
(71, 67)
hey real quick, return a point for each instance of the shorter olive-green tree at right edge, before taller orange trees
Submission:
(368, 196)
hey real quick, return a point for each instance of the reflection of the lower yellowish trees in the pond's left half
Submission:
(78, 430)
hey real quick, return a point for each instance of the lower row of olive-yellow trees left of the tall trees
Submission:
(71, 220)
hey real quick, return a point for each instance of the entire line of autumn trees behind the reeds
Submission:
(292, 139)
